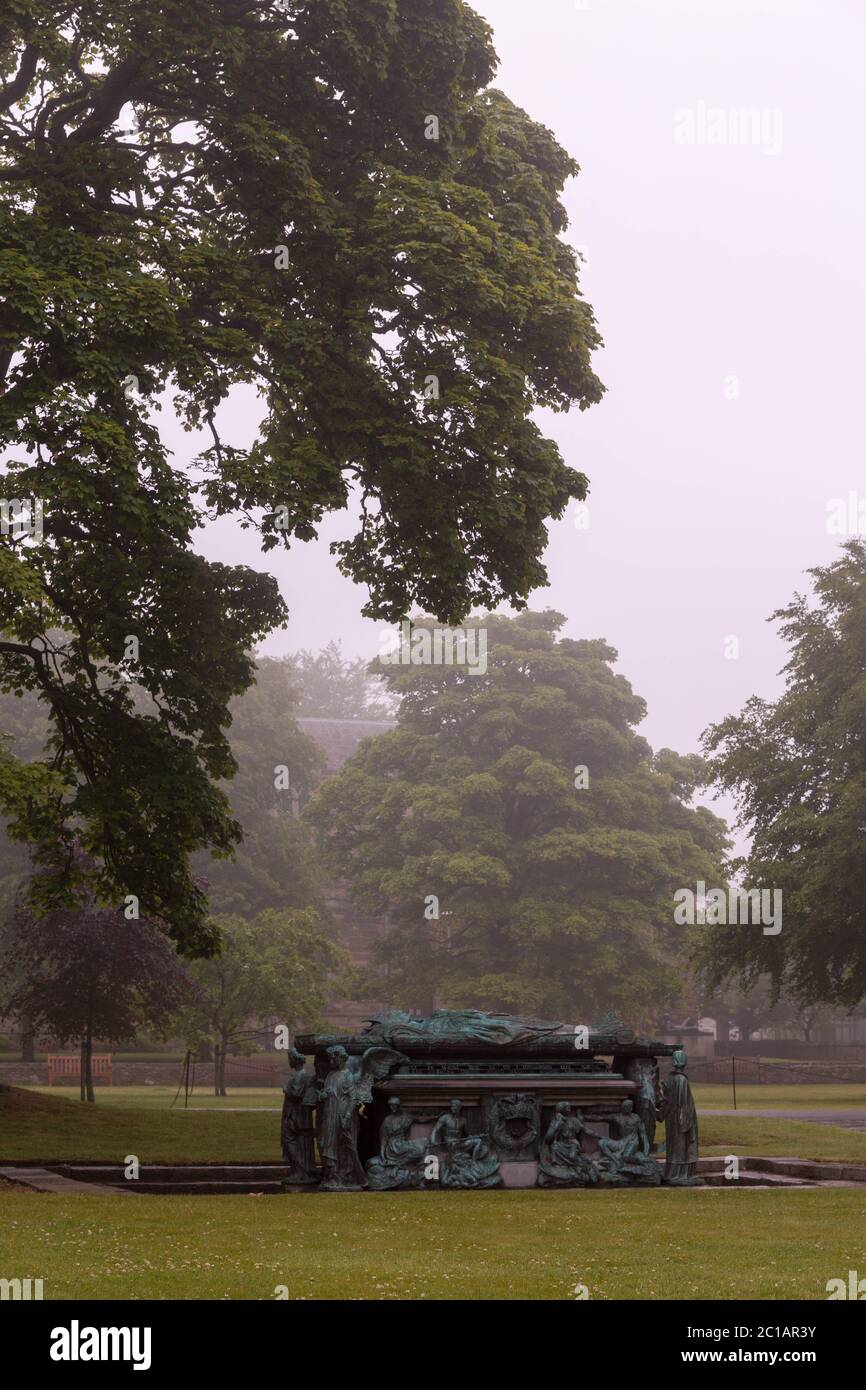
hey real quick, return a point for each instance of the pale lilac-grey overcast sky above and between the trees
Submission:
(729, 284)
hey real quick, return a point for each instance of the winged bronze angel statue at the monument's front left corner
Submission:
(348, 1088)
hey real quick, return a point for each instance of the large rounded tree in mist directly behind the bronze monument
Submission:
(522, 837)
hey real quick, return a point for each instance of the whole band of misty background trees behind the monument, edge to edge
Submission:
(519, 839)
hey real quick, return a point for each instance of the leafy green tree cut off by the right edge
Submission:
(797, 768)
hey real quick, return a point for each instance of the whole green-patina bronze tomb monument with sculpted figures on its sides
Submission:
(472, 1100)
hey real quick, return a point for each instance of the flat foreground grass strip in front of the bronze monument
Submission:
(483, 1246)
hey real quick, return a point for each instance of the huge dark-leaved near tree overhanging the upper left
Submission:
(326, 202)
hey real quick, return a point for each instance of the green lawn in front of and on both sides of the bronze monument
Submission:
(707, 1243)
